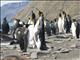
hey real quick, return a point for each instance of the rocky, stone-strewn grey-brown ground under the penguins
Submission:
(61, 47)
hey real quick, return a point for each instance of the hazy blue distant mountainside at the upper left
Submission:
(9, 10)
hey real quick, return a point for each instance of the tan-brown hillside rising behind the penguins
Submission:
(51, 9)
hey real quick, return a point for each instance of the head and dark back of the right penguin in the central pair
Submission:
(42, 31)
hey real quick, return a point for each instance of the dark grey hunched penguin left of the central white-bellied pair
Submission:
(22, 37)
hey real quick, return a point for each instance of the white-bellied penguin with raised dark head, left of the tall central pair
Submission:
(32, 22)
